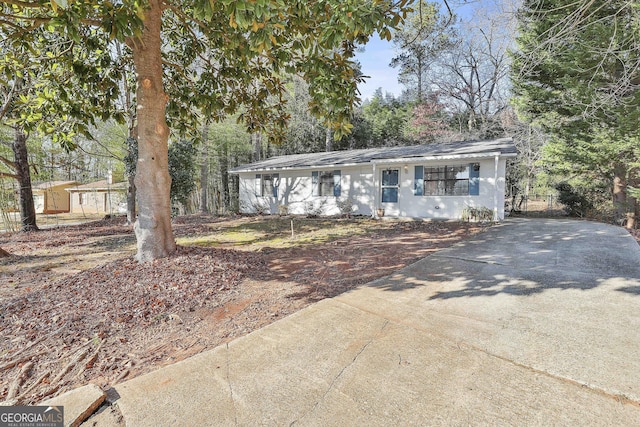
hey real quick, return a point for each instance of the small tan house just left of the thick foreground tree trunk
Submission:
(98, 197)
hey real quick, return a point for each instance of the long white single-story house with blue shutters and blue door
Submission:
(439, 181)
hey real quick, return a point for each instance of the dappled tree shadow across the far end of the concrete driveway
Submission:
(523, 258)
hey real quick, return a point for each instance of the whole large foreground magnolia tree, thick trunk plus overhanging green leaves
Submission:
(213, 58)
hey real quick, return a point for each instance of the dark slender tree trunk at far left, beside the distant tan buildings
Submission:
(27, 208)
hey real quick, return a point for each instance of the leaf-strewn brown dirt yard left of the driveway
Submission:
(75, 308)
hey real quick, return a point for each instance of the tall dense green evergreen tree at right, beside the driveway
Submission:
(576, 73)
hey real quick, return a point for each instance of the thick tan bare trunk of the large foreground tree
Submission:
(153, 183)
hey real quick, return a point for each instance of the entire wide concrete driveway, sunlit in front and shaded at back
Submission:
(535, 322)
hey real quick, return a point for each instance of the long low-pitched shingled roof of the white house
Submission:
(503, 146)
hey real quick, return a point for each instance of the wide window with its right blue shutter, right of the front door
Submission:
(454, 180)
